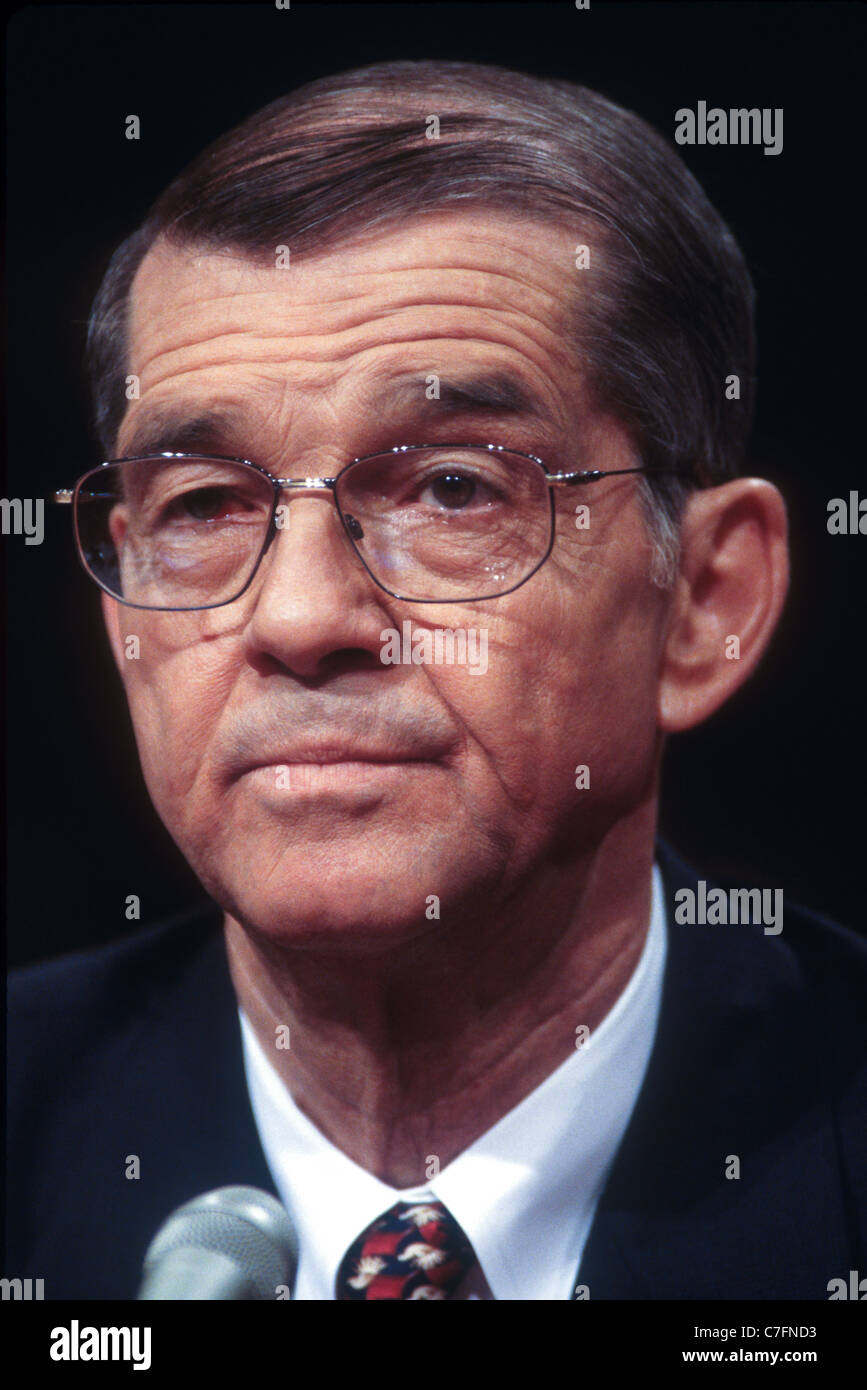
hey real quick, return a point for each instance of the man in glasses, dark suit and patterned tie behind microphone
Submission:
(423, 398)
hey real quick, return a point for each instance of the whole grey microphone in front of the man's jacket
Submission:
(233, 1243)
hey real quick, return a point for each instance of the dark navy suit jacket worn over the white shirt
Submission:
(761, 1053)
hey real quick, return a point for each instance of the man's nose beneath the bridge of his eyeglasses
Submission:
(315, 605)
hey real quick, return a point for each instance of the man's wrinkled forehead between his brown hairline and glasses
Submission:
(409, 315)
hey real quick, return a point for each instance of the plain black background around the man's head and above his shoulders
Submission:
(769, 793)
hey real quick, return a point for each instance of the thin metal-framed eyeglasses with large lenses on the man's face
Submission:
(443, 523)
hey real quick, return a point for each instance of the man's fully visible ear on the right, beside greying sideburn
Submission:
(729, 597)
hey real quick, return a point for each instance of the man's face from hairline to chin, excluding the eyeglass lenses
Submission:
(399, 782)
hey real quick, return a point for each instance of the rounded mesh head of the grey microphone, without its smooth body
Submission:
(242, 1225)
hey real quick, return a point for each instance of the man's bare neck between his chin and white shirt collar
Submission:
(419, 1052)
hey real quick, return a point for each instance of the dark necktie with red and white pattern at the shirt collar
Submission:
(416, 1250)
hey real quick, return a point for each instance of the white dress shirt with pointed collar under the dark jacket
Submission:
(526, 1192)
